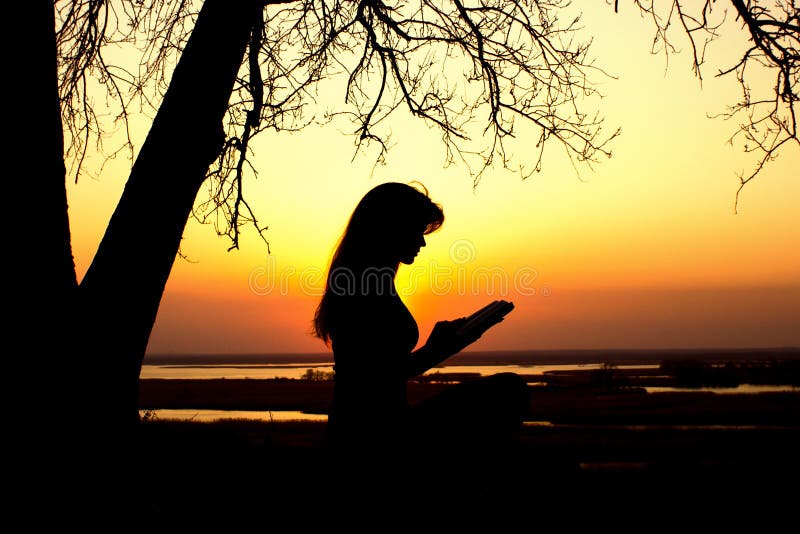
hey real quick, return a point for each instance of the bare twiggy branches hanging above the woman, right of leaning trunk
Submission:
(477, 70)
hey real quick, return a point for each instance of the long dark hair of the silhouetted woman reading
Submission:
(384, 212)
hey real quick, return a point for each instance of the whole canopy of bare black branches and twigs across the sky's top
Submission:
(509, 63)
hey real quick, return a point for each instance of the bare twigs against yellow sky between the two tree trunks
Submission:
(87, 31)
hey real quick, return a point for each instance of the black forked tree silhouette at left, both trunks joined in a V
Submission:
(82, 344)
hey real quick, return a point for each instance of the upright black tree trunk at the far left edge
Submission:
(41, 281)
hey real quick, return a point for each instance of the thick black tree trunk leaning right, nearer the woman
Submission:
(122, 289)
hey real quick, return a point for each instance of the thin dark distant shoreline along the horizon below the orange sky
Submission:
(507, 357)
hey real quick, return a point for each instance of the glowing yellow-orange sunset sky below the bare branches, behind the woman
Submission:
(643, 251)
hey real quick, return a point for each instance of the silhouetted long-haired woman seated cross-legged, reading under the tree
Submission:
(373, 336)
